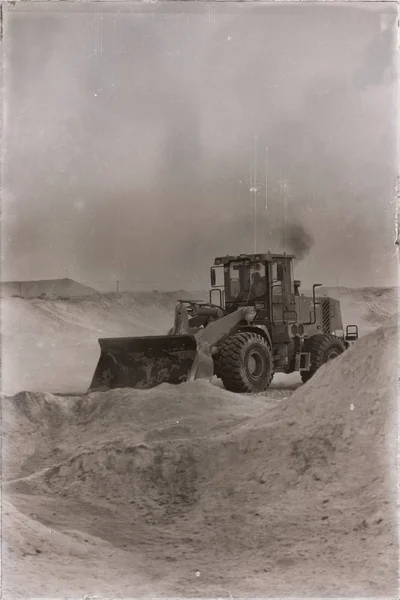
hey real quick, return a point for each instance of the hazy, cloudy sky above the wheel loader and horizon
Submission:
(135, 132)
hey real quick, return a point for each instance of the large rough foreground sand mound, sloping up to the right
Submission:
(244, 492)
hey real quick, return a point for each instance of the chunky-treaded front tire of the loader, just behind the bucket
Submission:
(245, 363)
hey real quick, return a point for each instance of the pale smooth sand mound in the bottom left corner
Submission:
(39, 560)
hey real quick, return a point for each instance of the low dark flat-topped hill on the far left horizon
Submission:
(45, 288)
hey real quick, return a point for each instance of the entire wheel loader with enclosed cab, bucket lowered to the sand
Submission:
(255, 324)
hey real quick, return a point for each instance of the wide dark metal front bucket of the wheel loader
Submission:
(144, 362)
